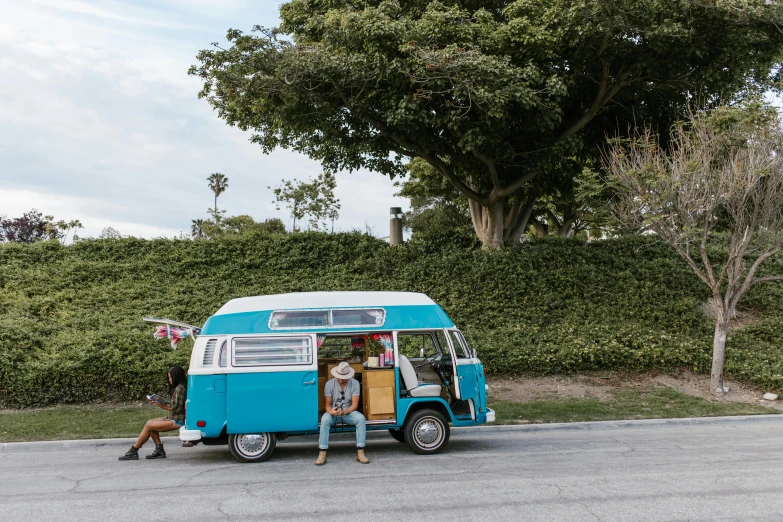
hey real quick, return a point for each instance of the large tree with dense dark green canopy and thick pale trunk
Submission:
(492, 94)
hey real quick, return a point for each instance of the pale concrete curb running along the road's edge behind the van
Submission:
(55, 445)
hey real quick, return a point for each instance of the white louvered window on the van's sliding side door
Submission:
(272, 351)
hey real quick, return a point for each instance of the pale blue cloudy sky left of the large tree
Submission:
(100, 122)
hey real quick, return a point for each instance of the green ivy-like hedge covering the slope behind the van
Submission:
(71, 330)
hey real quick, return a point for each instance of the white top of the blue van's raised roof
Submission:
(323, 300)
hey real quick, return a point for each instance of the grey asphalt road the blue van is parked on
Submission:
(725, 470)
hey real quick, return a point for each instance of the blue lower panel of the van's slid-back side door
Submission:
(283, 401)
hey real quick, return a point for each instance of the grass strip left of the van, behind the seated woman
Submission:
(75, 422)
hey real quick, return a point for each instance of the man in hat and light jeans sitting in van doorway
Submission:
(341, 396)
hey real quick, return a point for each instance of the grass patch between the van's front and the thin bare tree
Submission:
(649, 403)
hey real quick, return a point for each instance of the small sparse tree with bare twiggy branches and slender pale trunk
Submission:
(720, 171)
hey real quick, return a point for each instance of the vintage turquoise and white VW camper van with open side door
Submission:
(259, 366)
